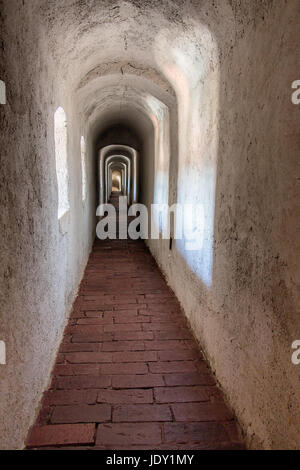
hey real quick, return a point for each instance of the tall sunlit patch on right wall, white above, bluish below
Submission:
(189, 69)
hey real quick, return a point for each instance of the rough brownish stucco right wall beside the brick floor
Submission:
(241, 290)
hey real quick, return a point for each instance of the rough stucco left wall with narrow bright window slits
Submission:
(40, 268)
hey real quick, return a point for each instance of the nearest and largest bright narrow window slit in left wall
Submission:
(61, 158)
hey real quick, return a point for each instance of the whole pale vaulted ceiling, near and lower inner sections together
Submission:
(113, 54)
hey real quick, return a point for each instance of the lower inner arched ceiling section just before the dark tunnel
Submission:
(129, 97)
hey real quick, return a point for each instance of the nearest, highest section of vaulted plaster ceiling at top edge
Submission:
(80, 32)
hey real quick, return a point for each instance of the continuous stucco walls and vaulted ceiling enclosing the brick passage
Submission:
(223, 69)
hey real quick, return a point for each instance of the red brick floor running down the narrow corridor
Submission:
(129, 374)
